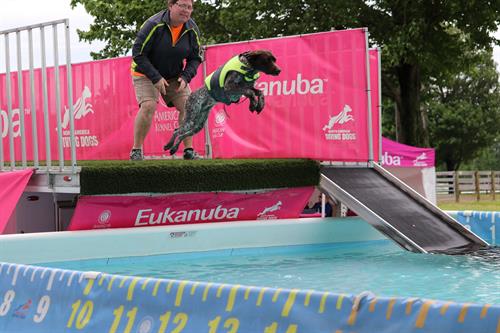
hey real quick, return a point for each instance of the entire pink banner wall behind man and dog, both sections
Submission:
(316, 108)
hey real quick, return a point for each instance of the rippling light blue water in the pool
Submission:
(379, 266)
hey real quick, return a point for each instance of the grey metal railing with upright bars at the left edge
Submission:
(26, 35)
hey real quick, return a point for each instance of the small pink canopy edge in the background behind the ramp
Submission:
(400, 155)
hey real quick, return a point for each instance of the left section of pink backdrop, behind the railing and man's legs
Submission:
(104, 113)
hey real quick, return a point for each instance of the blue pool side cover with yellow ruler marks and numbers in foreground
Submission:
(54, 300)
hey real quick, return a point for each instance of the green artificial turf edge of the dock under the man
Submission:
(168, 176)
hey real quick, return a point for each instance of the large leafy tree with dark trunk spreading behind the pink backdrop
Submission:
(421, 40)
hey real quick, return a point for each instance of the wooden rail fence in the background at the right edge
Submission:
(476, 183)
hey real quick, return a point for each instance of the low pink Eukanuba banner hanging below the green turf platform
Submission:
(100, 212)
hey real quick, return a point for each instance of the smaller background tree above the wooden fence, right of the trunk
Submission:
(464, 112)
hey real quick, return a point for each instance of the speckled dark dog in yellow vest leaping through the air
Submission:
(226, 85)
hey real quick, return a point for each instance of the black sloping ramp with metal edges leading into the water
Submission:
(397, 211)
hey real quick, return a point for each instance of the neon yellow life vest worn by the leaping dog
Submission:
(215, 81)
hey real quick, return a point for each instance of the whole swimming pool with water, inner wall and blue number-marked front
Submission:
(230, 297)
